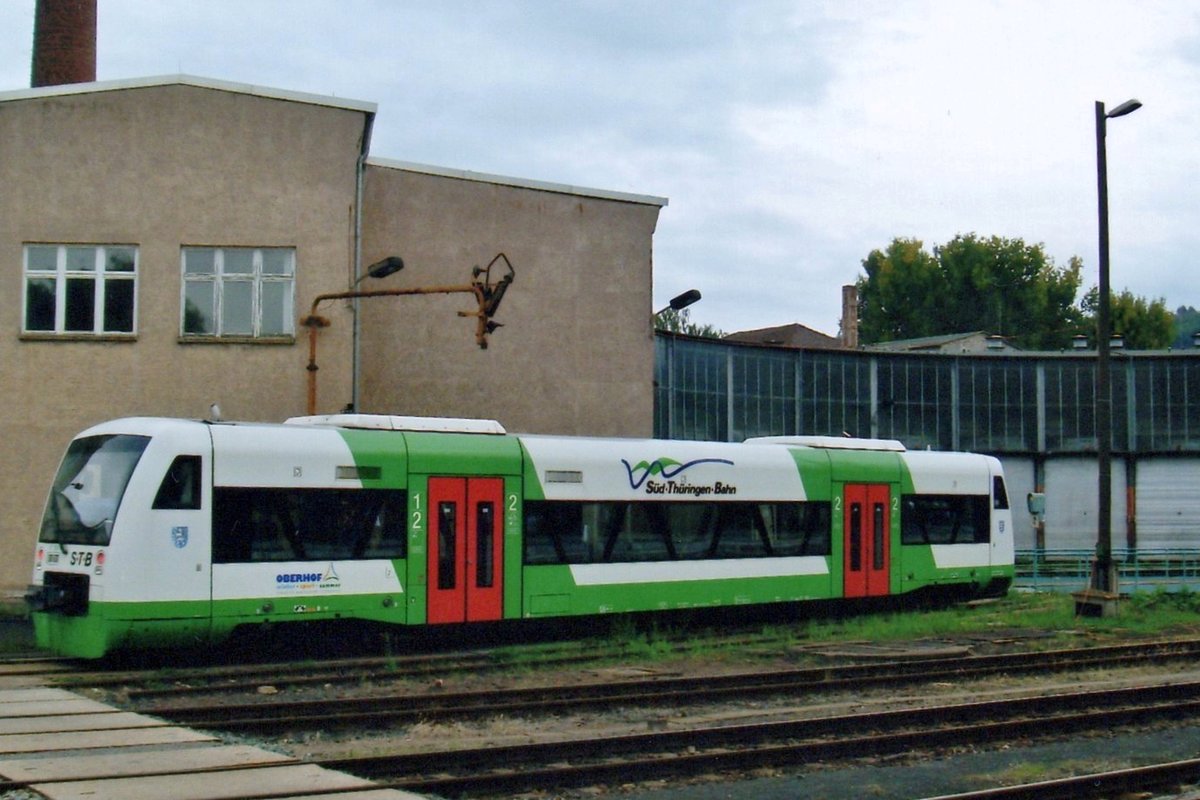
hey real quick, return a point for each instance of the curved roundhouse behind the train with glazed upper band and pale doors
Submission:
(1035, 411)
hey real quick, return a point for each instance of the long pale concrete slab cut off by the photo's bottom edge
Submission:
(265, 781)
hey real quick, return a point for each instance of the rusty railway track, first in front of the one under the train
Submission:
(267, 718)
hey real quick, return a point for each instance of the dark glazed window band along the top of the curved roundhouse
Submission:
(1033, 404)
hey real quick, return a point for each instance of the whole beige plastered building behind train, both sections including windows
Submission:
(164, 239)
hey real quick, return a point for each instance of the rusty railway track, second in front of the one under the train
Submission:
(681, 754)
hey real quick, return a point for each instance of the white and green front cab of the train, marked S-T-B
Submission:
(95, 557)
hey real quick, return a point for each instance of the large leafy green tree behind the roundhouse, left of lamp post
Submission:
(1000, 286)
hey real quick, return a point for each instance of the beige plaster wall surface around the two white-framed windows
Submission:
(161, 167)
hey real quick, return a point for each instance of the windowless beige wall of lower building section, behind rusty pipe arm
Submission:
(577, 352)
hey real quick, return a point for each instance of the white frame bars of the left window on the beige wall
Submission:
(65, 273)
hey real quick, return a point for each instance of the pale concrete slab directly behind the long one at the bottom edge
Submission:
(123, 763)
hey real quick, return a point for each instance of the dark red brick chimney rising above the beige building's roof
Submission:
(64, 43)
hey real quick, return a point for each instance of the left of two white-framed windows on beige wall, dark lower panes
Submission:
(81, 290)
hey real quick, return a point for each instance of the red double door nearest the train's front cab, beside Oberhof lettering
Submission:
(465, 550)
